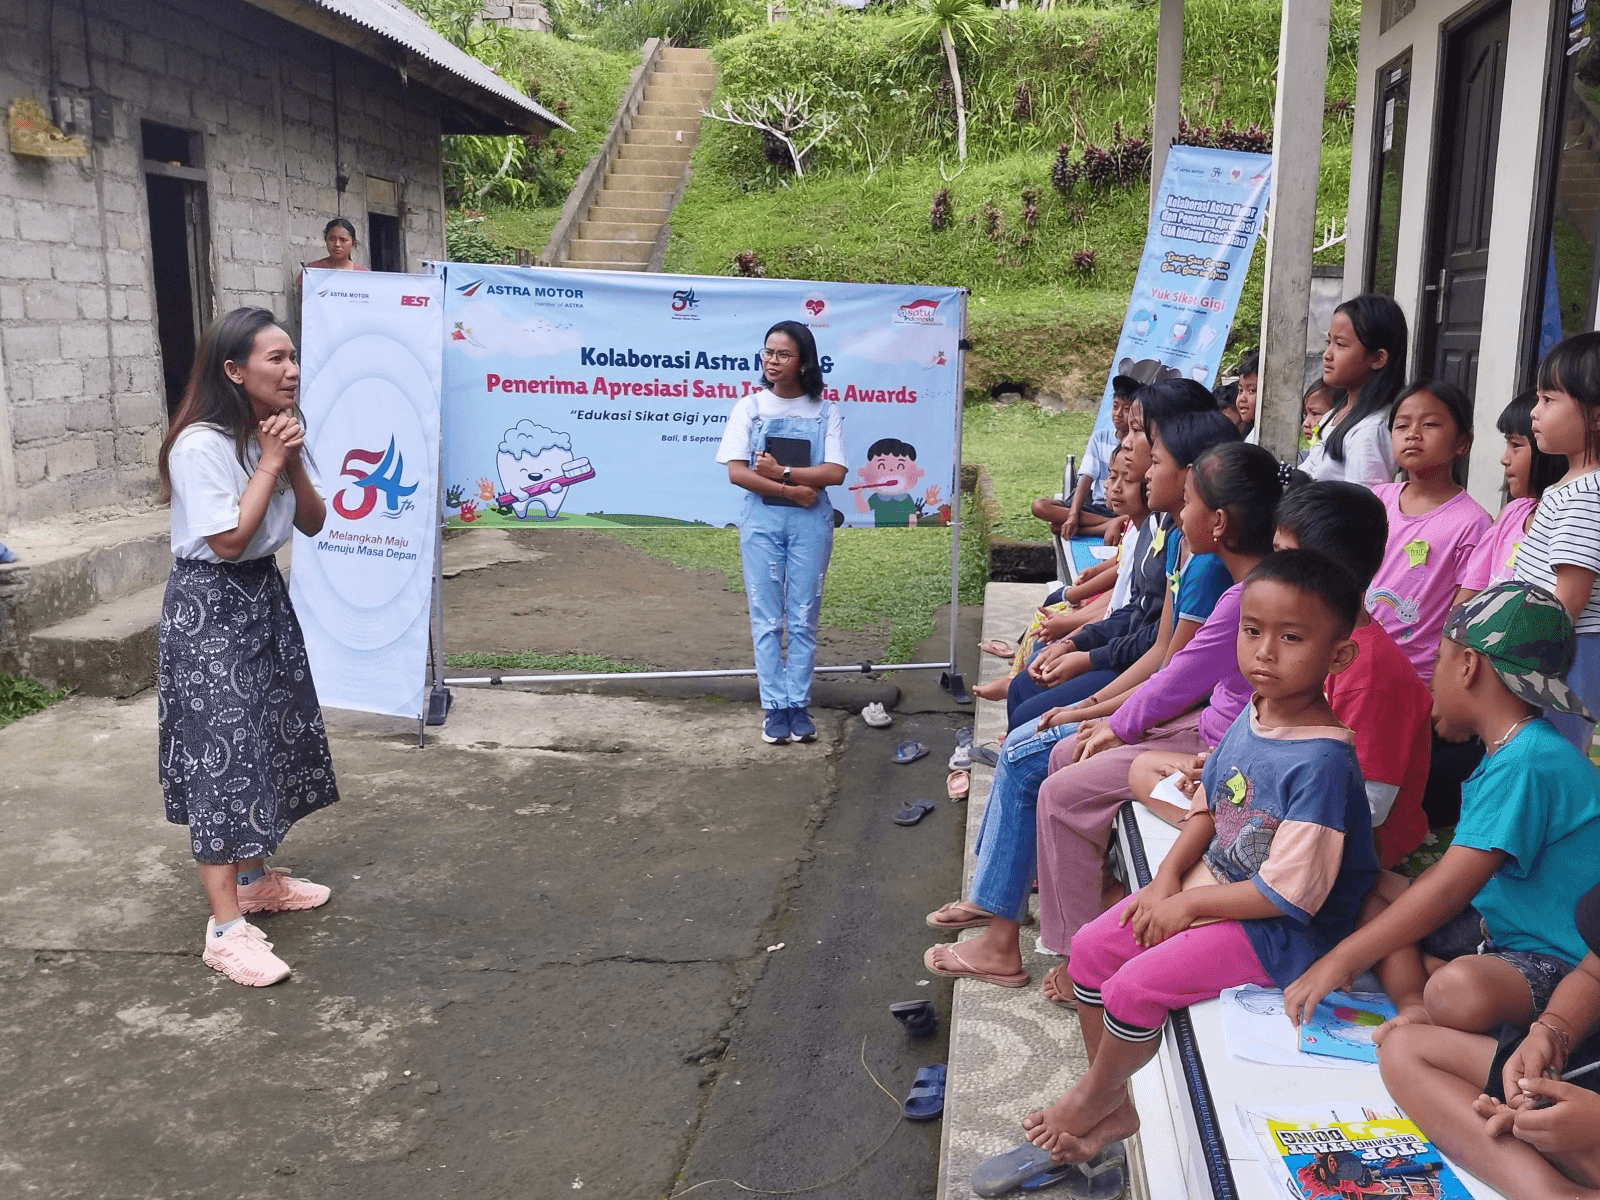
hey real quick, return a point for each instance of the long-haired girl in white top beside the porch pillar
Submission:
(1366, 359)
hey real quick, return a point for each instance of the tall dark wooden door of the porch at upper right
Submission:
(1450, 318)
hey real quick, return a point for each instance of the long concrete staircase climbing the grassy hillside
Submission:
(646, 180)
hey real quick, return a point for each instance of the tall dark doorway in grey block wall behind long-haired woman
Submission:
(180, 249)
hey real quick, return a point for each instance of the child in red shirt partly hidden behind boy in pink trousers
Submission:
(1378, 698)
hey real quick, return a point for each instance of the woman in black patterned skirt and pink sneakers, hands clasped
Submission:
(242, 746)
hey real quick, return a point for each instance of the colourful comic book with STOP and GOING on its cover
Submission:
(1348, 1153)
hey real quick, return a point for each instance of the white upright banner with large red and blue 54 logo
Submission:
(370, 388)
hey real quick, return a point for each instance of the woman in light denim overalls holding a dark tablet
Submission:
(786, 446)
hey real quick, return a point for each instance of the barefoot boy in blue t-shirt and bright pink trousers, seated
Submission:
(1271, 866)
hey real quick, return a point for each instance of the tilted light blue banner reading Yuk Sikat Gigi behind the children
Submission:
(1196, 255)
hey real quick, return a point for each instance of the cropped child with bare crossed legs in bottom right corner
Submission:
(1529, 1135)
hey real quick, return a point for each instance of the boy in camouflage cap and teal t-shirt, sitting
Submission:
(1492, 914)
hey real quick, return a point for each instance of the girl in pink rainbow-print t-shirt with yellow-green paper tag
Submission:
(1434, 524)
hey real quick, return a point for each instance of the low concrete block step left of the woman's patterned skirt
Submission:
(108, 652)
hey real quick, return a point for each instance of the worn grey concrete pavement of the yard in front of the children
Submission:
(545, 969)
